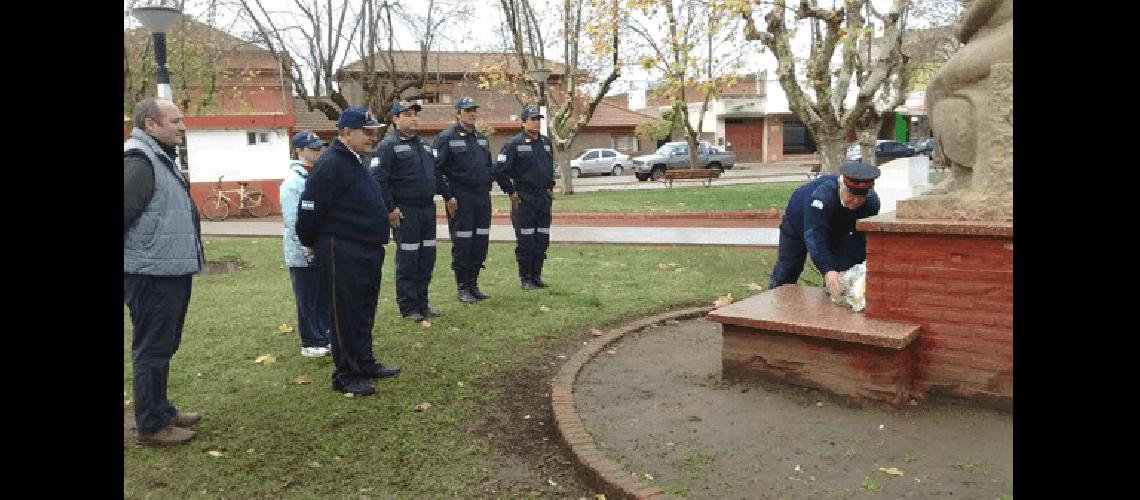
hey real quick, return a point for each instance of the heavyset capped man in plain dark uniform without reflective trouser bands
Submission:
(343, 218)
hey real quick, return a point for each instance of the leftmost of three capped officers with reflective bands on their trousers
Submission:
(405, 169)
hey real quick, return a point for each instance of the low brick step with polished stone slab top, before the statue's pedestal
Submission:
(795, 334)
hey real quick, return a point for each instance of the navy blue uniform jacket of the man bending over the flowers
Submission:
(816, 215)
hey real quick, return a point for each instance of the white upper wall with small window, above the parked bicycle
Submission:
(214, 153)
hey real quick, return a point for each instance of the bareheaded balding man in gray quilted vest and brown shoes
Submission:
(162, 251)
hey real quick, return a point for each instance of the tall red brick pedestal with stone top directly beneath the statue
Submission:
(956, 281)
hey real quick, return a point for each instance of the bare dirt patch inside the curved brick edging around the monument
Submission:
(656, 405)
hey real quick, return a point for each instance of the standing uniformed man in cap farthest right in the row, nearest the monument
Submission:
(525, 170)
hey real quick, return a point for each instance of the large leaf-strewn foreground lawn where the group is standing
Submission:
(279, 438)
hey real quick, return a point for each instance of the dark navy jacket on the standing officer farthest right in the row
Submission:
(525, 165)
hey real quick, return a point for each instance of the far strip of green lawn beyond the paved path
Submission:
(729, 199)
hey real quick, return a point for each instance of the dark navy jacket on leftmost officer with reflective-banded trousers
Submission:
(405, 170)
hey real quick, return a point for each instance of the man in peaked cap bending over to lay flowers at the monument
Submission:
(820, 220)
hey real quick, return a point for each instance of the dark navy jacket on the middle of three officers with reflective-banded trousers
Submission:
(465, 161)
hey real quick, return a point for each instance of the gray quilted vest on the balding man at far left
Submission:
(165, 240)
